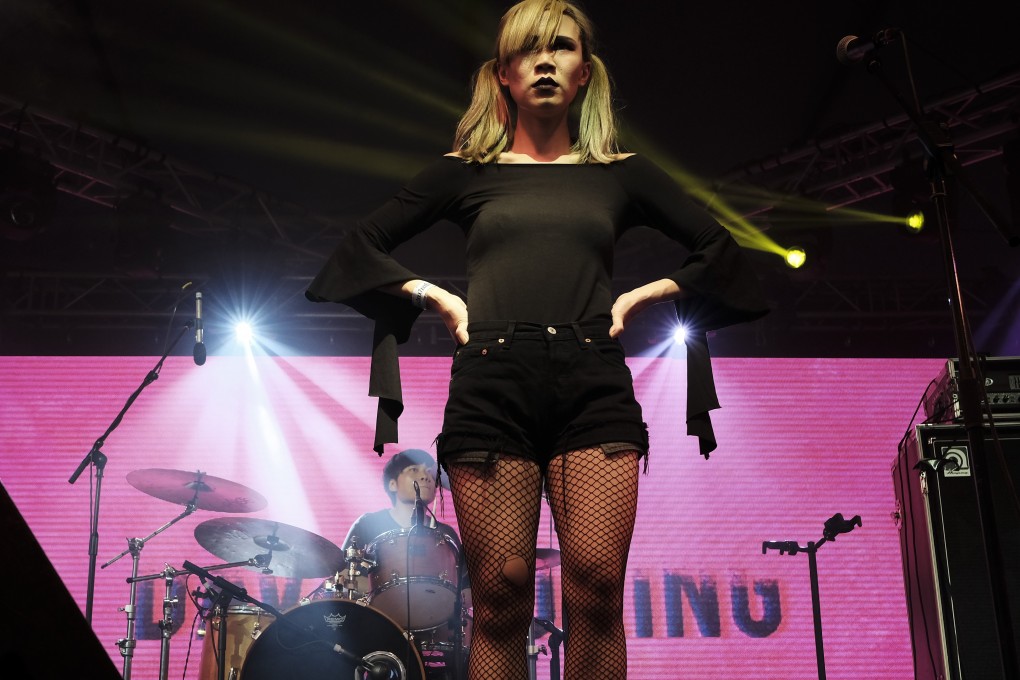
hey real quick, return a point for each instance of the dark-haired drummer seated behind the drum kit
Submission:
(399, 477)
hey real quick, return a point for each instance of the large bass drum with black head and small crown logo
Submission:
(300, 646)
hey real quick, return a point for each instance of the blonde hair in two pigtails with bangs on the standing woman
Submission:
(486, 130)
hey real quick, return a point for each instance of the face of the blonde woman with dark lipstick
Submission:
(544, 83)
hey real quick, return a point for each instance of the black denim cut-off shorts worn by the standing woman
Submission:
(538, 392)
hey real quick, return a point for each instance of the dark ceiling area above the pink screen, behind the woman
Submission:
(230, 143)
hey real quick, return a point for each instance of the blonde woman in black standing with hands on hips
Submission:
(541, 399)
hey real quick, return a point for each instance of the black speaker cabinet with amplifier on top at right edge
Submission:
(954, 634)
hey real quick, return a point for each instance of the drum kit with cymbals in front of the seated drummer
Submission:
(395, 610)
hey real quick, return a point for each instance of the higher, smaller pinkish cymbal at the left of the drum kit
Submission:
(209, 493)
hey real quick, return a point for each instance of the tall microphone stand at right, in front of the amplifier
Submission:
(942, 164)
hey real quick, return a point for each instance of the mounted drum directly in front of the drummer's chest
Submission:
(416, 580)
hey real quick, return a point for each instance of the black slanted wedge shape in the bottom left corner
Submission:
(43, 636)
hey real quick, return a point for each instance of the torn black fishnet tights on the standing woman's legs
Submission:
(594, 499)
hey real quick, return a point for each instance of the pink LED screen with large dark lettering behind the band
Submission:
(801, 440)
